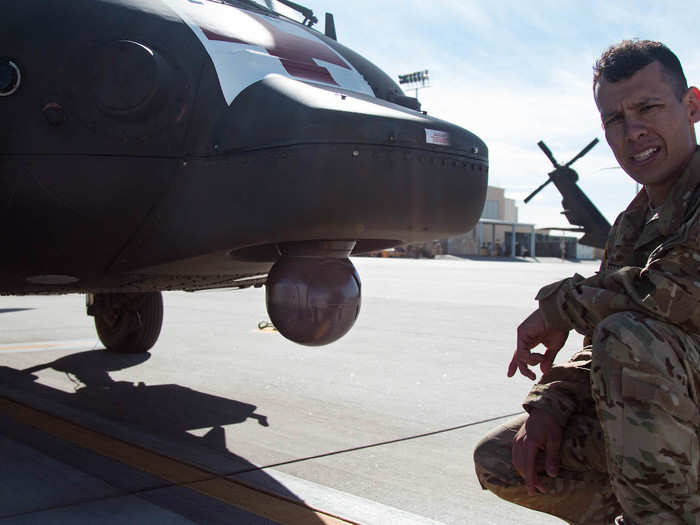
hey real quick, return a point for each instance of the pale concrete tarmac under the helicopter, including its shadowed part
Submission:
(223, 422)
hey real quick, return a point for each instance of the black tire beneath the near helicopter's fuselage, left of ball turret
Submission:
(129, 323)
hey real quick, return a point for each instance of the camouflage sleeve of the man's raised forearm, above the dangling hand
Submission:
(667, 288)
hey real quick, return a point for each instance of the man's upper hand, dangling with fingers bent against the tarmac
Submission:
(531, 332)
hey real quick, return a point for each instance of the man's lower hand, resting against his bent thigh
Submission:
(539, 432)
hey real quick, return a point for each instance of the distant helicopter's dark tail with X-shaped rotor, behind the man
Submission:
(578, 209)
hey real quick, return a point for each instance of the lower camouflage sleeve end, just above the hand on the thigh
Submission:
(563, 390)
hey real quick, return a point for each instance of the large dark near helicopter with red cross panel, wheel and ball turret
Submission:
(151, 145)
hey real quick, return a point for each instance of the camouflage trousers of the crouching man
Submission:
(640, 454)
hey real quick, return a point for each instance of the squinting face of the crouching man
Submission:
(650, 131)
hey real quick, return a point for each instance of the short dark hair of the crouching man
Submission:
(623, 60)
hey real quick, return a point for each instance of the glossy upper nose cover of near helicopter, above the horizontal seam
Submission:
(279, 111)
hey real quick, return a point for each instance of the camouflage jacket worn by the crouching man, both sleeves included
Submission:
(651, 265)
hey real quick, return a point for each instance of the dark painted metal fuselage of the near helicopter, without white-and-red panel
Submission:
(122, 166)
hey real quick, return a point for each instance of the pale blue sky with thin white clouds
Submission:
(516, 73)
